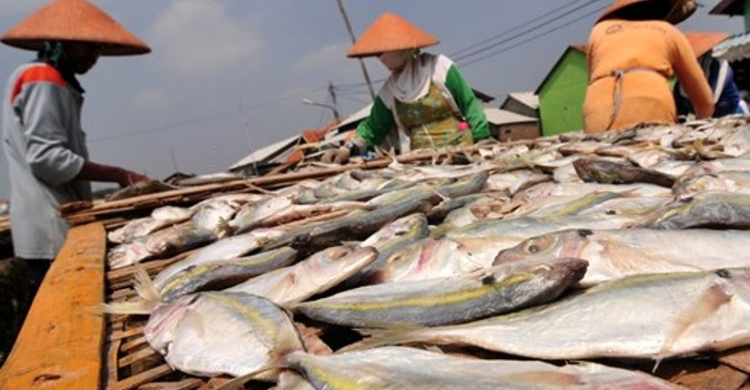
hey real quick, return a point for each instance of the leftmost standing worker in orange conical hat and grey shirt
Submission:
(45, 145)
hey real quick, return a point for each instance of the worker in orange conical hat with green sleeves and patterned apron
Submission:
(424, 103)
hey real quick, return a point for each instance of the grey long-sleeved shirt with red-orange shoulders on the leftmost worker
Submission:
(46, 148)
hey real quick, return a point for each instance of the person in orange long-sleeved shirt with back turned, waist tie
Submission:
(634, 50)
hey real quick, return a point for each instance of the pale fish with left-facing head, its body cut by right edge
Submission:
(614, 254)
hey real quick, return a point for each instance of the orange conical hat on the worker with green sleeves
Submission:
(388, 33)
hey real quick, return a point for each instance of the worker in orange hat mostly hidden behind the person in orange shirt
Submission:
(719, 74)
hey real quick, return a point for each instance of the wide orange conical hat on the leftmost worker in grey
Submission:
(74, 20)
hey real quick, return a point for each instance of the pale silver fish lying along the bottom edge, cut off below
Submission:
(411, 368)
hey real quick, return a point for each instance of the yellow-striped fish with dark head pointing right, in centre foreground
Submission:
(452, 300)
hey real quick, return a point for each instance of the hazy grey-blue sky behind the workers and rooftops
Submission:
(229, 76)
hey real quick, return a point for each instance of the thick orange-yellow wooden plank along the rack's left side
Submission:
(60, 344)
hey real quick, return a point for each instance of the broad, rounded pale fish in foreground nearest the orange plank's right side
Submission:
(212, 333)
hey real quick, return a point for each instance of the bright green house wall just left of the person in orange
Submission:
(561, 96)
